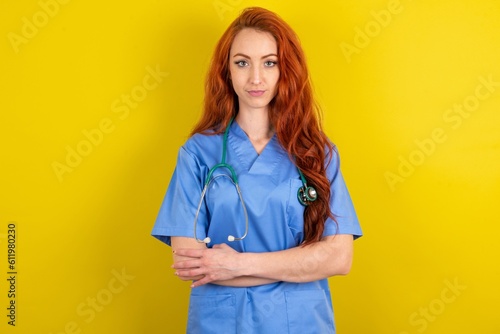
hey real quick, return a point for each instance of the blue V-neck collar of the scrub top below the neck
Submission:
(251, 161)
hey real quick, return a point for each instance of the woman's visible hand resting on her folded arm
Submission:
(218, 263)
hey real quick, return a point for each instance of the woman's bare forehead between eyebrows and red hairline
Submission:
(254, 42)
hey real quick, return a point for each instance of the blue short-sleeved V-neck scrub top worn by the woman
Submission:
(269, 184)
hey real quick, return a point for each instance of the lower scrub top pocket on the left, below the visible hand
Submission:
(212, 314)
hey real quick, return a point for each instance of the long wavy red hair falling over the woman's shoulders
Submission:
(293, 112)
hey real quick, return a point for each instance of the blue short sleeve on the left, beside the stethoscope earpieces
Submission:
(178, 210)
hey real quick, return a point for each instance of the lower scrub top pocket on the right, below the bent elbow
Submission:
(309, 312)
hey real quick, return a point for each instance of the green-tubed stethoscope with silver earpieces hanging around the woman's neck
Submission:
(305, 194)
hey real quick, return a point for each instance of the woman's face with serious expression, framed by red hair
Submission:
(254, 68)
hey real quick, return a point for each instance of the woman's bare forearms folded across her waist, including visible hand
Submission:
(224, 266)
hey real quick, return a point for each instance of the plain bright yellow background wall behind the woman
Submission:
(435, 226)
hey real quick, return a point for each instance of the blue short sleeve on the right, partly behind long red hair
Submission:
(346, 220)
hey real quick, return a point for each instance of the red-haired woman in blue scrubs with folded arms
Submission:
(291, 223)
